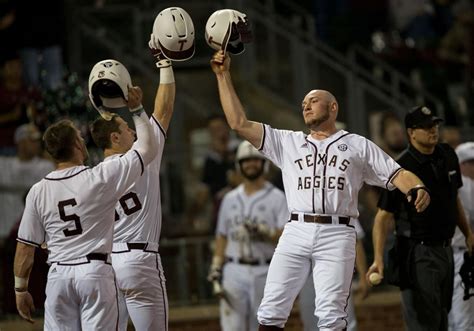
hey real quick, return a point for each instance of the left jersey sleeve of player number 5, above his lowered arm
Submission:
(31, 231)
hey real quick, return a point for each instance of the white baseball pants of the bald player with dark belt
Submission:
(330, 249)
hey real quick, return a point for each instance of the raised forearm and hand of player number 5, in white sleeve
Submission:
(145, 145)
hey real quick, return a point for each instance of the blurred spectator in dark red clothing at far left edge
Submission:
(16, 101)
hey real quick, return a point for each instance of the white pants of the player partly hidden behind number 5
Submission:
(142, 290)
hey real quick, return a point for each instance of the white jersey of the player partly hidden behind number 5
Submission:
(138, 211)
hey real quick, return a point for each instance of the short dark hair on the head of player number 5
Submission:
(59, 140)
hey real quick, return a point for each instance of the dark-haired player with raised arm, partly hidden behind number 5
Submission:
(135, 256)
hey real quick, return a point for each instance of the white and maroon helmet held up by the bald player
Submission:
(229, 30)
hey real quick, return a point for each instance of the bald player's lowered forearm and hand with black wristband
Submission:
(413, 187)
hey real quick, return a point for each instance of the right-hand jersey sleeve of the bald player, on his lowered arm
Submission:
(380, 168)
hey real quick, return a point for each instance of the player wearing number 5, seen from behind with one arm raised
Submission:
(72, 211)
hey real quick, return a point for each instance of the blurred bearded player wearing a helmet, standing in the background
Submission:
(250, 221)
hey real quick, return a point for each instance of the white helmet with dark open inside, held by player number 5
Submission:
(109, 81)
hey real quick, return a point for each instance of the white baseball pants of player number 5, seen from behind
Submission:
(81, 297)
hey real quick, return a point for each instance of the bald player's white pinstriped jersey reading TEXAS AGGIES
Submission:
(324, 177)
